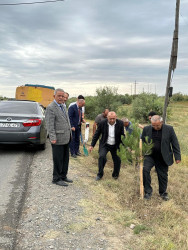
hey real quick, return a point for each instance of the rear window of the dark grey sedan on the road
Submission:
(18, 108)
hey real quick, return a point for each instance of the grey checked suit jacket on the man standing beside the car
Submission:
(58, 124)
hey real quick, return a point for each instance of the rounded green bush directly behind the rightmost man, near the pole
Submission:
(143, 104)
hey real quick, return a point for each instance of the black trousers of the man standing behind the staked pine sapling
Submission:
(162, 173)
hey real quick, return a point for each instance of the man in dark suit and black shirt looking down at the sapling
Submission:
(165, 145)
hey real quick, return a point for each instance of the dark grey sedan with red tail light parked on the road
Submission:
(22, 122)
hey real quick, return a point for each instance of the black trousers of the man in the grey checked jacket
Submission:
(60, 161)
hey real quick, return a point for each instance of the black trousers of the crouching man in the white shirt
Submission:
(102, 159)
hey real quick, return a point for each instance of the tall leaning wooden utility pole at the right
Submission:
(173, 60)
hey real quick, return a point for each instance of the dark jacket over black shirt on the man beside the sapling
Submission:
(169, 143)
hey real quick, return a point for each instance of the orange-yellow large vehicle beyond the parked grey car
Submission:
(38, 93)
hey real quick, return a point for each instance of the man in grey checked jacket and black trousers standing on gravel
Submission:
(59, 130)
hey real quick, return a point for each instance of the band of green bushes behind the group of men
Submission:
(108, 97)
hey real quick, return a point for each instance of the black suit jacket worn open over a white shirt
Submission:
(102, 129)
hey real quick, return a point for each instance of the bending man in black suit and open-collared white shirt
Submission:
(111, 131)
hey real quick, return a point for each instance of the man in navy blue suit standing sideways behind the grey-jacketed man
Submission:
(75, 116)
